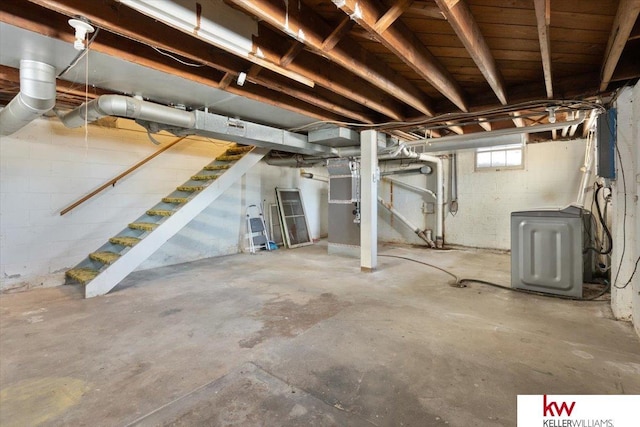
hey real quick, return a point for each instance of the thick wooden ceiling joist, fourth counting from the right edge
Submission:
(406, 46)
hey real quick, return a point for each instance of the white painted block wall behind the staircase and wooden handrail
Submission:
(45, 167)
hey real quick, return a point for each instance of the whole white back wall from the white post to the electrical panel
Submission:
(549, 179)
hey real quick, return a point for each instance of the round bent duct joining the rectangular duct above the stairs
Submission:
(132, 108)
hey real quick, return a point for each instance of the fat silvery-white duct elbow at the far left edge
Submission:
(37, 96)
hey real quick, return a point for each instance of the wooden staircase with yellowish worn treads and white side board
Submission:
(103, 269)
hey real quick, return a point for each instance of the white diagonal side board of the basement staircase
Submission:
(114, 273)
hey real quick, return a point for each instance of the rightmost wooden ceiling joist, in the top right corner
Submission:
(626, 16)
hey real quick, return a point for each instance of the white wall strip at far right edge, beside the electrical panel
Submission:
(626, 302)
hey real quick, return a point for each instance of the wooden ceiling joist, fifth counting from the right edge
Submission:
(309, 28)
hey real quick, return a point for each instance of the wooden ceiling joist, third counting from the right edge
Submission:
(464, 24)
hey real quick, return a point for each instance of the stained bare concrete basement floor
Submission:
(298, 337)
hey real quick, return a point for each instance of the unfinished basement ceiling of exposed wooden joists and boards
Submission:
(365, 61)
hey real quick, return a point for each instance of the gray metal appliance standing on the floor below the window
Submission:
(547, 250)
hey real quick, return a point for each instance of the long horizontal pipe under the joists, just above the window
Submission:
(484, 139)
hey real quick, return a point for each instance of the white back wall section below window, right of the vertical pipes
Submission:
(550, 179)
